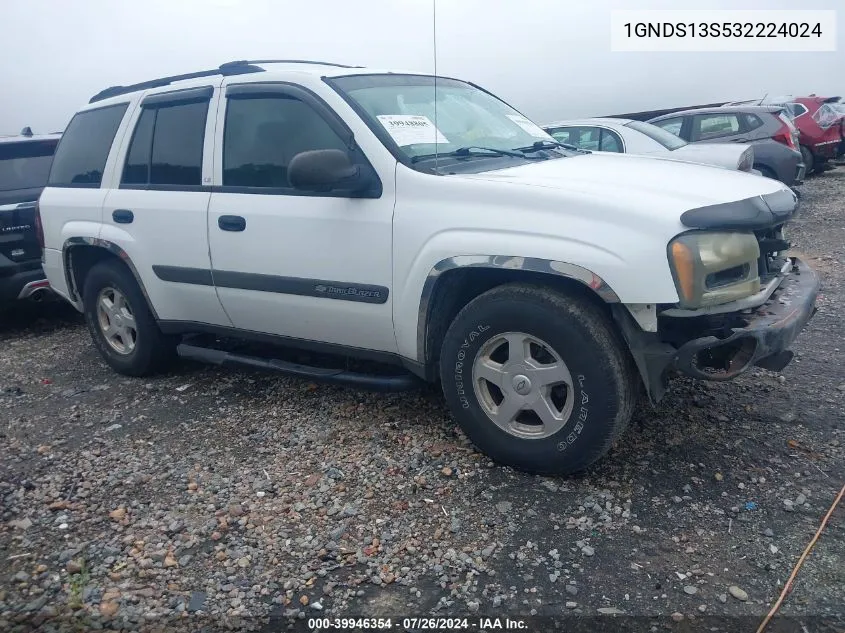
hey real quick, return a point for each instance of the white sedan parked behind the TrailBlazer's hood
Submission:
(627, 136)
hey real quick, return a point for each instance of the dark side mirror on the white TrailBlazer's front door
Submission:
(326, 170)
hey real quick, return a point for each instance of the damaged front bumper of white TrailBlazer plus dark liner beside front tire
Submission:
(757, 336)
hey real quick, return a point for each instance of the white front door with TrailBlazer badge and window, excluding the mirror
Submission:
(302, 265)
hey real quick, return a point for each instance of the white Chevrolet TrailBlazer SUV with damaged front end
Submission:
(423, 223)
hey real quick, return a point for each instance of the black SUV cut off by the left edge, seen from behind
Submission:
(24, 165)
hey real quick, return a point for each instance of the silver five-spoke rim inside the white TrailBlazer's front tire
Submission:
(523, 385)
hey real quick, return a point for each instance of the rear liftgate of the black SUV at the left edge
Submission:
(24, 167)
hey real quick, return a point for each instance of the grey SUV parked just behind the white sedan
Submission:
(766, 128)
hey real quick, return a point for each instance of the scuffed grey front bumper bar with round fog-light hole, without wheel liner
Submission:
(769, 331)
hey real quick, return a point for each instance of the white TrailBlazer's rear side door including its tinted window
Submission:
(157, 204)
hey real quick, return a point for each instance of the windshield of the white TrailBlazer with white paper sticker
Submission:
(401, 108)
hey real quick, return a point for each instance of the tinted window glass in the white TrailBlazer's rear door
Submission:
(166, 147)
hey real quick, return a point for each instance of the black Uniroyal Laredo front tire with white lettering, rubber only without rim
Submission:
(604, 387)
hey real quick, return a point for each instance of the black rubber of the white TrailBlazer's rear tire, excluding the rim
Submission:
(153, 351)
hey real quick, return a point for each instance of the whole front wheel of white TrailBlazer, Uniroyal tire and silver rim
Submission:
(537, 379)
